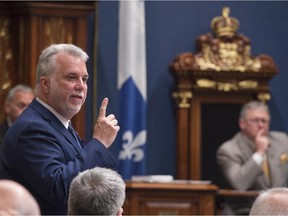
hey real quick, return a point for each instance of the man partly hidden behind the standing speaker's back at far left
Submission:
(18, 98)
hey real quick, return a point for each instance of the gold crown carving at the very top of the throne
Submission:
(225, 25)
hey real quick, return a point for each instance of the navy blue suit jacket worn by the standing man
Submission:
(41, 154)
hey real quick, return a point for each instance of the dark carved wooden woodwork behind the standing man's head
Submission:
(26, 28)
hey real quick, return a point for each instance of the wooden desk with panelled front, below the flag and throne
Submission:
(169, 199)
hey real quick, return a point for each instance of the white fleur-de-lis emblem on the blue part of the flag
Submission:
(131, 146)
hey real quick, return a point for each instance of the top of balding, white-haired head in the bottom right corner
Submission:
(274, 201)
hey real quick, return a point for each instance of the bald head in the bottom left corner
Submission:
(16, 200)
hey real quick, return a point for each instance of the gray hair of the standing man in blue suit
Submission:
(47, 62)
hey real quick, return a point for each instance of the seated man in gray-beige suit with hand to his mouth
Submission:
(255, 158)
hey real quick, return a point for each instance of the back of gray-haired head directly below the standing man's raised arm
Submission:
(98, 191)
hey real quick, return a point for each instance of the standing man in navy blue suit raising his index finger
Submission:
(39, 151)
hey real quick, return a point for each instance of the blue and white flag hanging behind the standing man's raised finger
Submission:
(132, 88)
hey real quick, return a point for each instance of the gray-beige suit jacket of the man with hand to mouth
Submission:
(234, 158)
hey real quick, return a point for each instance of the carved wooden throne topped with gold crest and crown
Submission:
(210, 88)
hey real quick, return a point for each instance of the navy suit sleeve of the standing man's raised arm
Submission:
(47, 162)
